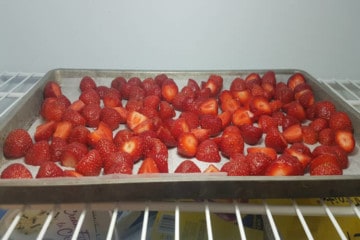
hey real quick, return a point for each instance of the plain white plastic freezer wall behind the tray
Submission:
(321, 37)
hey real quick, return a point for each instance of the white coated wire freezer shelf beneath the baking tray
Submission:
(15, 85)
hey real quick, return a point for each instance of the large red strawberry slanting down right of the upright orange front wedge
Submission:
(157, 150)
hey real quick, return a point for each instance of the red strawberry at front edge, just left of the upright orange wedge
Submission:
(118, 163)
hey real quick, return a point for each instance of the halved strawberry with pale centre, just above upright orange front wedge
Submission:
(134, 147)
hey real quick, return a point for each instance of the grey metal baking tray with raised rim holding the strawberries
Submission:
(166, 186)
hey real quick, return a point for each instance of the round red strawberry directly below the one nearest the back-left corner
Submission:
(52, 109)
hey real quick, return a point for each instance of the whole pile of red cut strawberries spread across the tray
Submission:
(259, 126)
